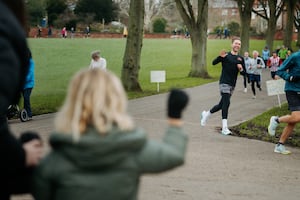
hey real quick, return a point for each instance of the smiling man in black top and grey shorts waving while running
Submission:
(232, 64)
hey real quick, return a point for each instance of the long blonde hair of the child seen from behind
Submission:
(95, 98)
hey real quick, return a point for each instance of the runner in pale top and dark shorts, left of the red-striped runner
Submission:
(255, 69)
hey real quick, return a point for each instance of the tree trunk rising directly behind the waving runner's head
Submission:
(245, 9)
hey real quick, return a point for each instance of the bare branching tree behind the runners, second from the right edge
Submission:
(270, 10)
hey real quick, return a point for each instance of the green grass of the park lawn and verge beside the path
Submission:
(58, 59)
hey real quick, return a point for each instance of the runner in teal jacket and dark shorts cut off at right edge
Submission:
(290, 72)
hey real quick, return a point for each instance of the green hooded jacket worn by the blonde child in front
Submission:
(105, 167)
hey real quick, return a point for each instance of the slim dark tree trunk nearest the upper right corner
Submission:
(288, 34)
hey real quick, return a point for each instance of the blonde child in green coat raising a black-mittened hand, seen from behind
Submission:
(96, 149)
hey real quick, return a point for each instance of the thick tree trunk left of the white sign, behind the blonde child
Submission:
(132, 55)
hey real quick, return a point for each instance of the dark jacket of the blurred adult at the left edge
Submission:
(13, 69)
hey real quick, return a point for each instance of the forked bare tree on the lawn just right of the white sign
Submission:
(195, 18)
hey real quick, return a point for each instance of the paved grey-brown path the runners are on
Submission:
(217, 166)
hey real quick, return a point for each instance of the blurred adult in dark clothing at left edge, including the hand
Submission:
(15, 157)
